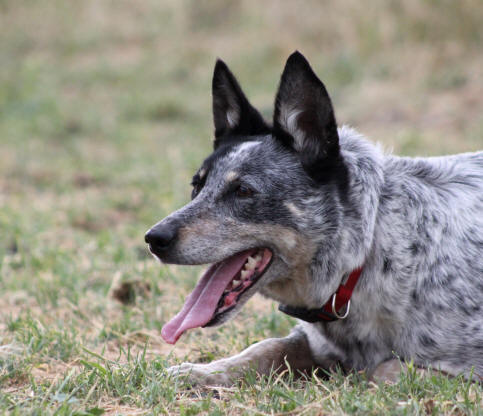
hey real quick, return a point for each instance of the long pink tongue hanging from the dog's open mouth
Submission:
(201, 304)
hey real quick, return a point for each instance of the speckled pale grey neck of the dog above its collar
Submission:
(350, 246)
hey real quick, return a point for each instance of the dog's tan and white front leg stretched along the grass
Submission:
(272, 353)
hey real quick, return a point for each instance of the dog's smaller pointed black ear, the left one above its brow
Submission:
(233, 115)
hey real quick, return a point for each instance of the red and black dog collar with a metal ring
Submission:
(332, 310)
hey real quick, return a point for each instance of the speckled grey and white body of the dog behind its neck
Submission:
(428, 250)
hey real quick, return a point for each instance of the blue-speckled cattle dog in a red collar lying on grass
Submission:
(380, 257)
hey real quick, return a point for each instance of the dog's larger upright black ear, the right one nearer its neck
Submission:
(304, 118)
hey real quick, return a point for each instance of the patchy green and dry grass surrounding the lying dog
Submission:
(104, 115)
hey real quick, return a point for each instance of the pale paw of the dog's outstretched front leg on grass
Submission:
(201, 374)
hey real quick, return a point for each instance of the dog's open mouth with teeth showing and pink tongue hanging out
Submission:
(221, 288)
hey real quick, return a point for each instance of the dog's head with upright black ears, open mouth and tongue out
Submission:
(262, 202)
